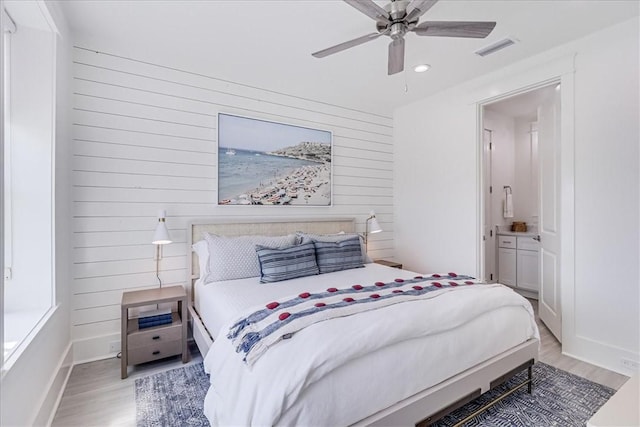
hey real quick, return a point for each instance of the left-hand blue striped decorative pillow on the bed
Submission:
(289, 262)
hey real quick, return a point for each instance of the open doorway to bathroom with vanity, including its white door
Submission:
(520, 148)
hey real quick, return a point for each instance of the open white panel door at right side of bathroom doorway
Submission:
(549, 303)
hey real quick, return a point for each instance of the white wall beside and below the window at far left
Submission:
(33, 385)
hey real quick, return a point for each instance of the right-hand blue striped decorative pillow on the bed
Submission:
(340, 255)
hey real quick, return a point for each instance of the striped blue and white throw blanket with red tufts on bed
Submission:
(253, 334)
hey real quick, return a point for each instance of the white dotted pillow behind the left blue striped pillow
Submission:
(235, 257)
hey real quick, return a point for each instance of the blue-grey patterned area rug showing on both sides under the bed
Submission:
(175, 398)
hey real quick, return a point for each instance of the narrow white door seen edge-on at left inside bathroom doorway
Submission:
(488, 233)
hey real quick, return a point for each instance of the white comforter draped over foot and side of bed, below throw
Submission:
(340, 371)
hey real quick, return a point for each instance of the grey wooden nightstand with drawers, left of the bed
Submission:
(157, 342)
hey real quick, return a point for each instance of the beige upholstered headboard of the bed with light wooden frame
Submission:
(232, 227)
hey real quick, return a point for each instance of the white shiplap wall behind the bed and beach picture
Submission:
(144, 138)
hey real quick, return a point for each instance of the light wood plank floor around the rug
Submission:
(96, 396)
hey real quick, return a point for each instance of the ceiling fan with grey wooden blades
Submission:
(400, 17)
